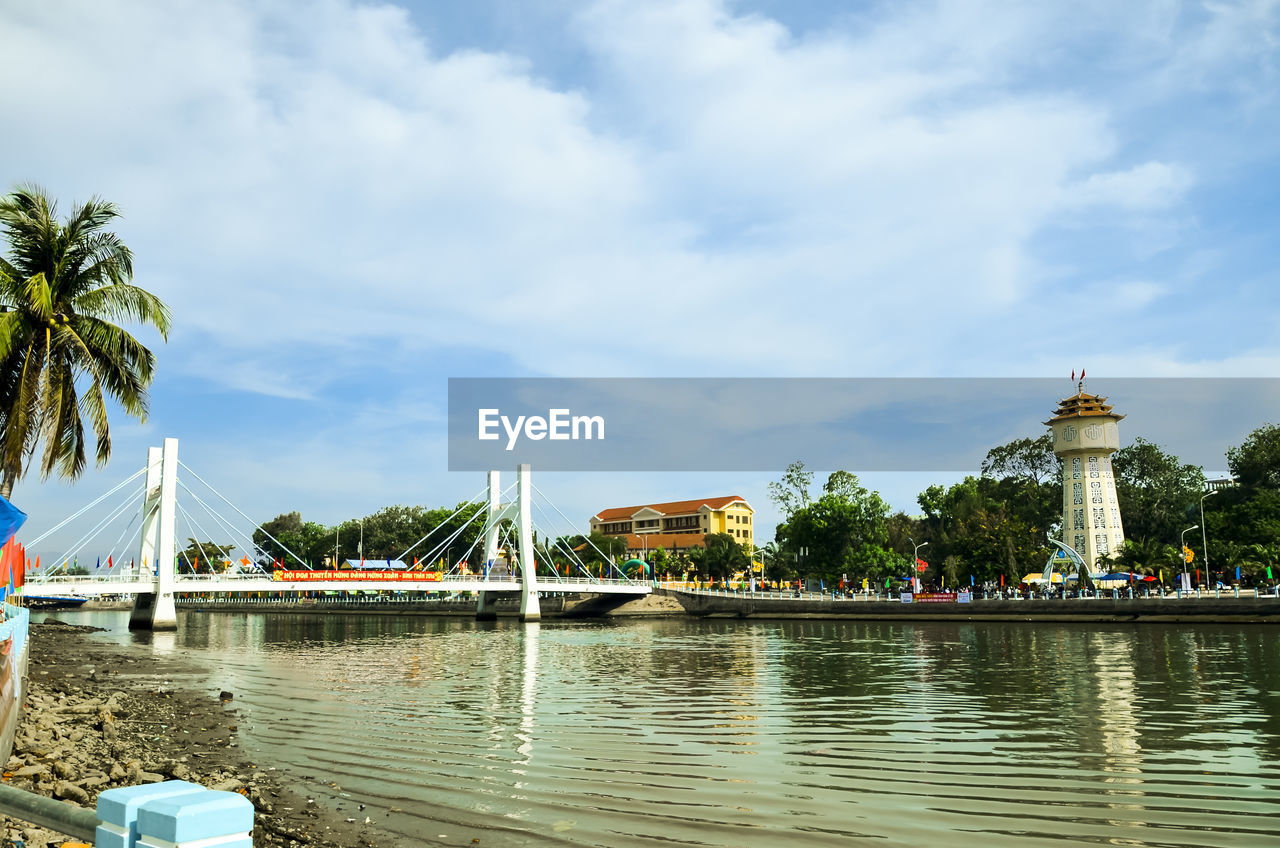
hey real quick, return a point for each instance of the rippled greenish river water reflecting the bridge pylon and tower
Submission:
(755, 733)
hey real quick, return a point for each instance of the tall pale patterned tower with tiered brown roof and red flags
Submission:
(1086, 434)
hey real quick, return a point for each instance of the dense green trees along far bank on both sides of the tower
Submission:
(998, 526)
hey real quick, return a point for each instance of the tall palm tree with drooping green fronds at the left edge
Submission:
(62, 357)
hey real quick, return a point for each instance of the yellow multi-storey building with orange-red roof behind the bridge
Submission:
(679, 525)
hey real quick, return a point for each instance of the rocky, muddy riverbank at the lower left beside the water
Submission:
(94, 721)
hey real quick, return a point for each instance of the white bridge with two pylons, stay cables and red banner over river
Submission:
(154, 580)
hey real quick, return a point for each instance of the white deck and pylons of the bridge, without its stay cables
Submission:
(157, 578)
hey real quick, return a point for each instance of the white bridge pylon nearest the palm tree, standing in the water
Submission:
(157, 610)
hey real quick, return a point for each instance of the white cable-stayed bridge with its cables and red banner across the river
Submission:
(154, 577)
